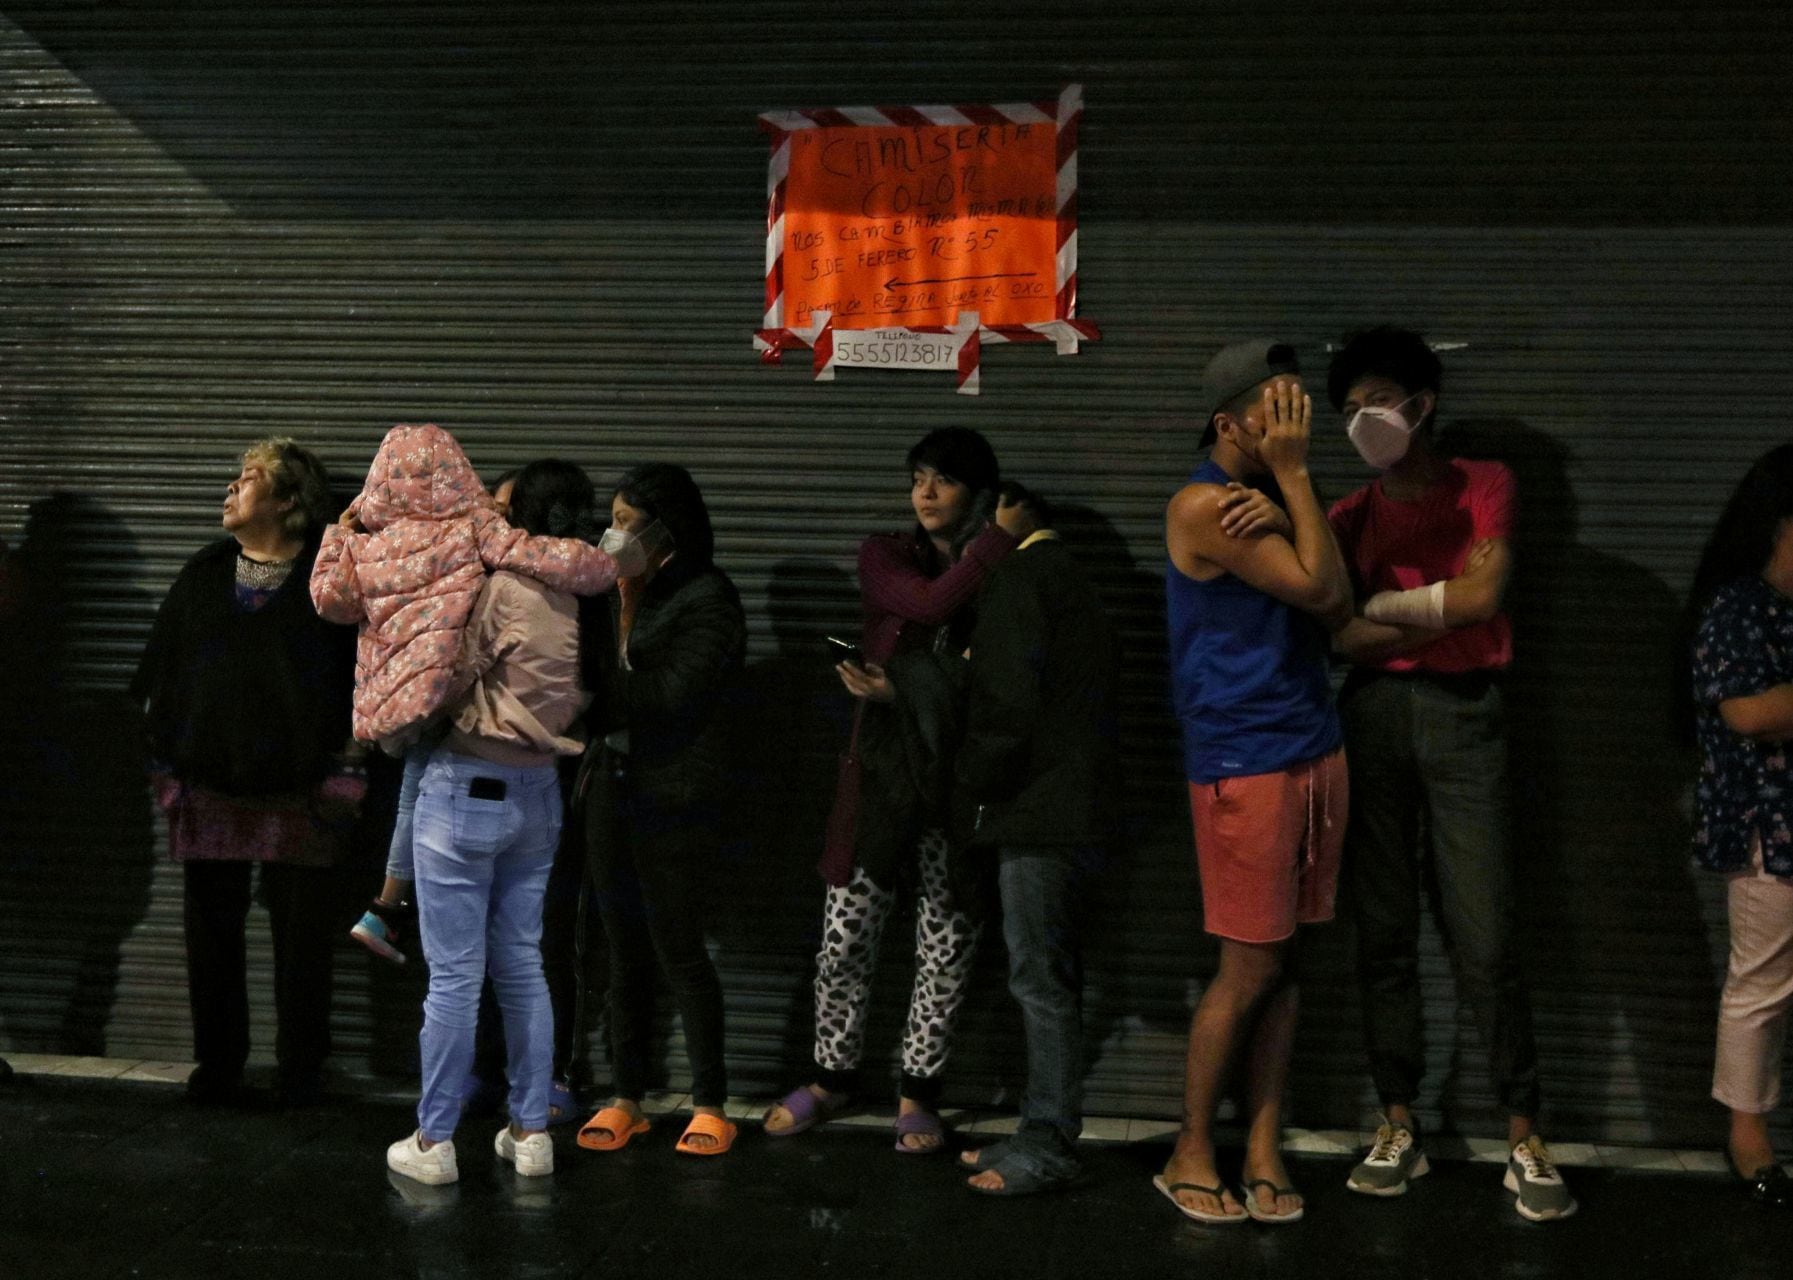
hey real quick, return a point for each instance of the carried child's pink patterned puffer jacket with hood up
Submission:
(411, 580)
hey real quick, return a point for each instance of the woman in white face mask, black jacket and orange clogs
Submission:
(654, 783)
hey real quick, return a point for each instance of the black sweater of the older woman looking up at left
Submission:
(247, 704)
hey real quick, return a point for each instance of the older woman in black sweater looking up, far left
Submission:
(248, 700)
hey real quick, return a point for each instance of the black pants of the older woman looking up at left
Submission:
(304, 915)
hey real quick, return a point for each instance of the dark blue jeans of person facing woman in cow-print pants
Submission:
(1041, 892)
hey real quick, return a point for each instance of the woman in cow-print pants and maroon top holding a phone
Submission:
(917, 592)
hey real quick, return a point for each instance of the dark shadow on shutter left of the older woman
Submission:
(76, 838)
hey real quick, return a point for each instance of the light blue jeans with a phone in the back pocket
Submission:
(483, 870)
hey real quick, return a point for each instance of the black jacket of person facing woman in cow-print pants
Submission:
(1039, 761)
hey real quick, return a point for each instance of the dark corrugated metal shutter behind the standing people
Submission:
(542, 225)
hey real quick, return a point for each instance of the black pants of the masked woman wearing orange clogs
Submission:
(648, 876)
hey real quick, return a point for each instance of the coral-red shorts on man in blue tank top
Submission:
(1269, 847)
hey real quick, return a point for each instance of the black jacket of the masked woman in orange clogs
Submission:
(686, 655)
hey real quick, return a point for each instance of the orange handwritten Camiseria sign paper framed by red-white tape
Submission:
(914, 225)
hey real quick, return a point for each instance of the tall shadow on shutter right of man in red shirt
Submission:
(1611, 930)
